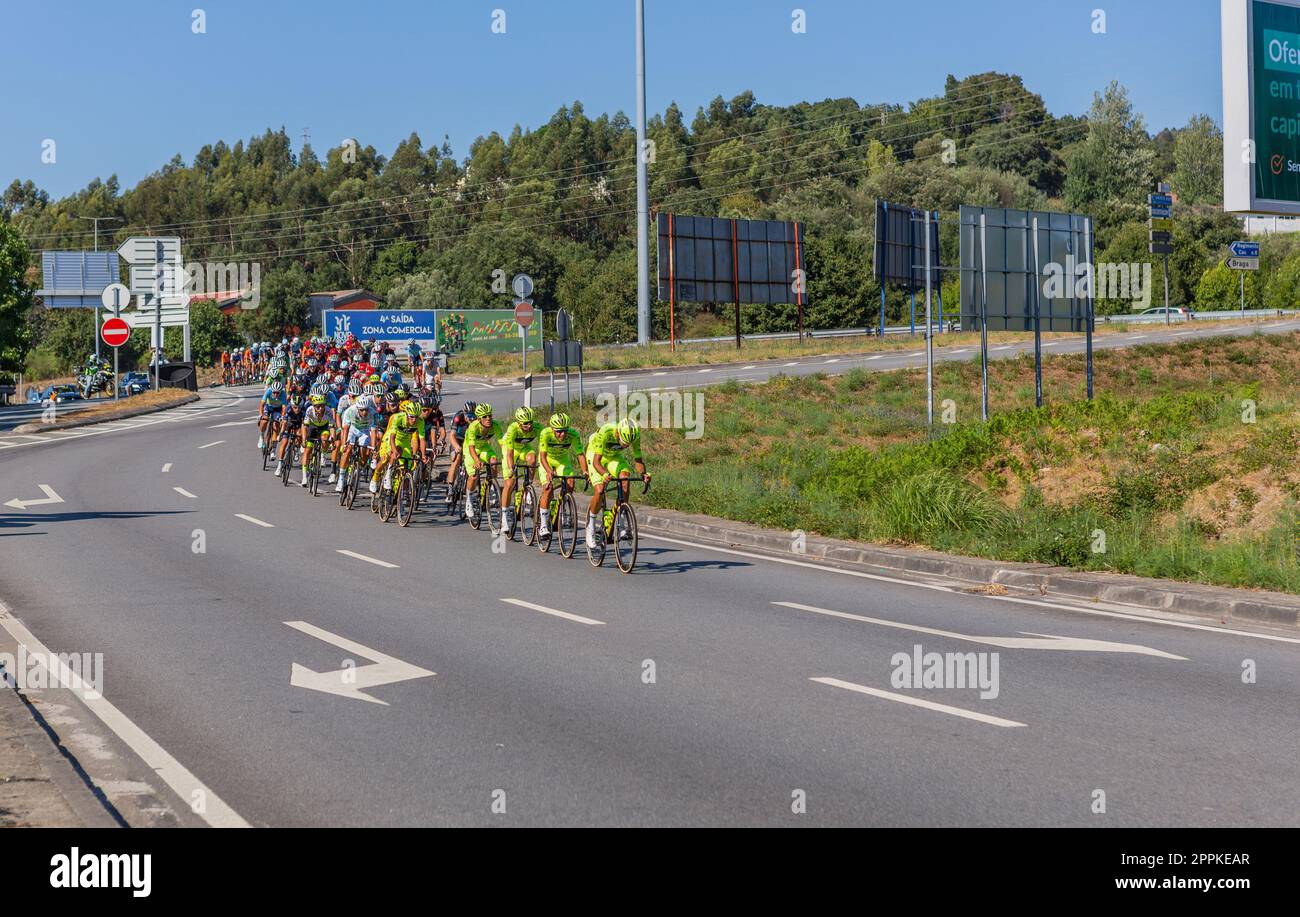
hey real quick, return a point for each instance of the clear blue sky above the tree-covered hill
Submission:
(123, 86)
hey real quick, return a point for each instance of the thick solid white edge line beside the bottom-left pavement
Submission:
(172, 772)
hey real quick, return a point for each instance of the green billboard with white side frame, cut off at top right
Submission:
(1262, 106)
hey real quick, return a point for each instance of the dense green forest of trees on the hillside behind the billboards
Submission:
(427, 230)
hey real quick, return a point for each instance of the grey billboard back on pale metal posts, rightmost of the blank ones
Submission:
(1064, 271)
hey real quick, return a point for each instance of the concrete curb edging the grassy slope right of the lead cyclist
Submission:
(1223, 604)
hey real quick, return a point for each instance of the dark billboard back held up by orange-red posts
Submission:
(714, 261)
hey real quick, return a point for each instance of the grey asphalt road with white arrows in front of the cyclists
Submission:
(712, 687)
